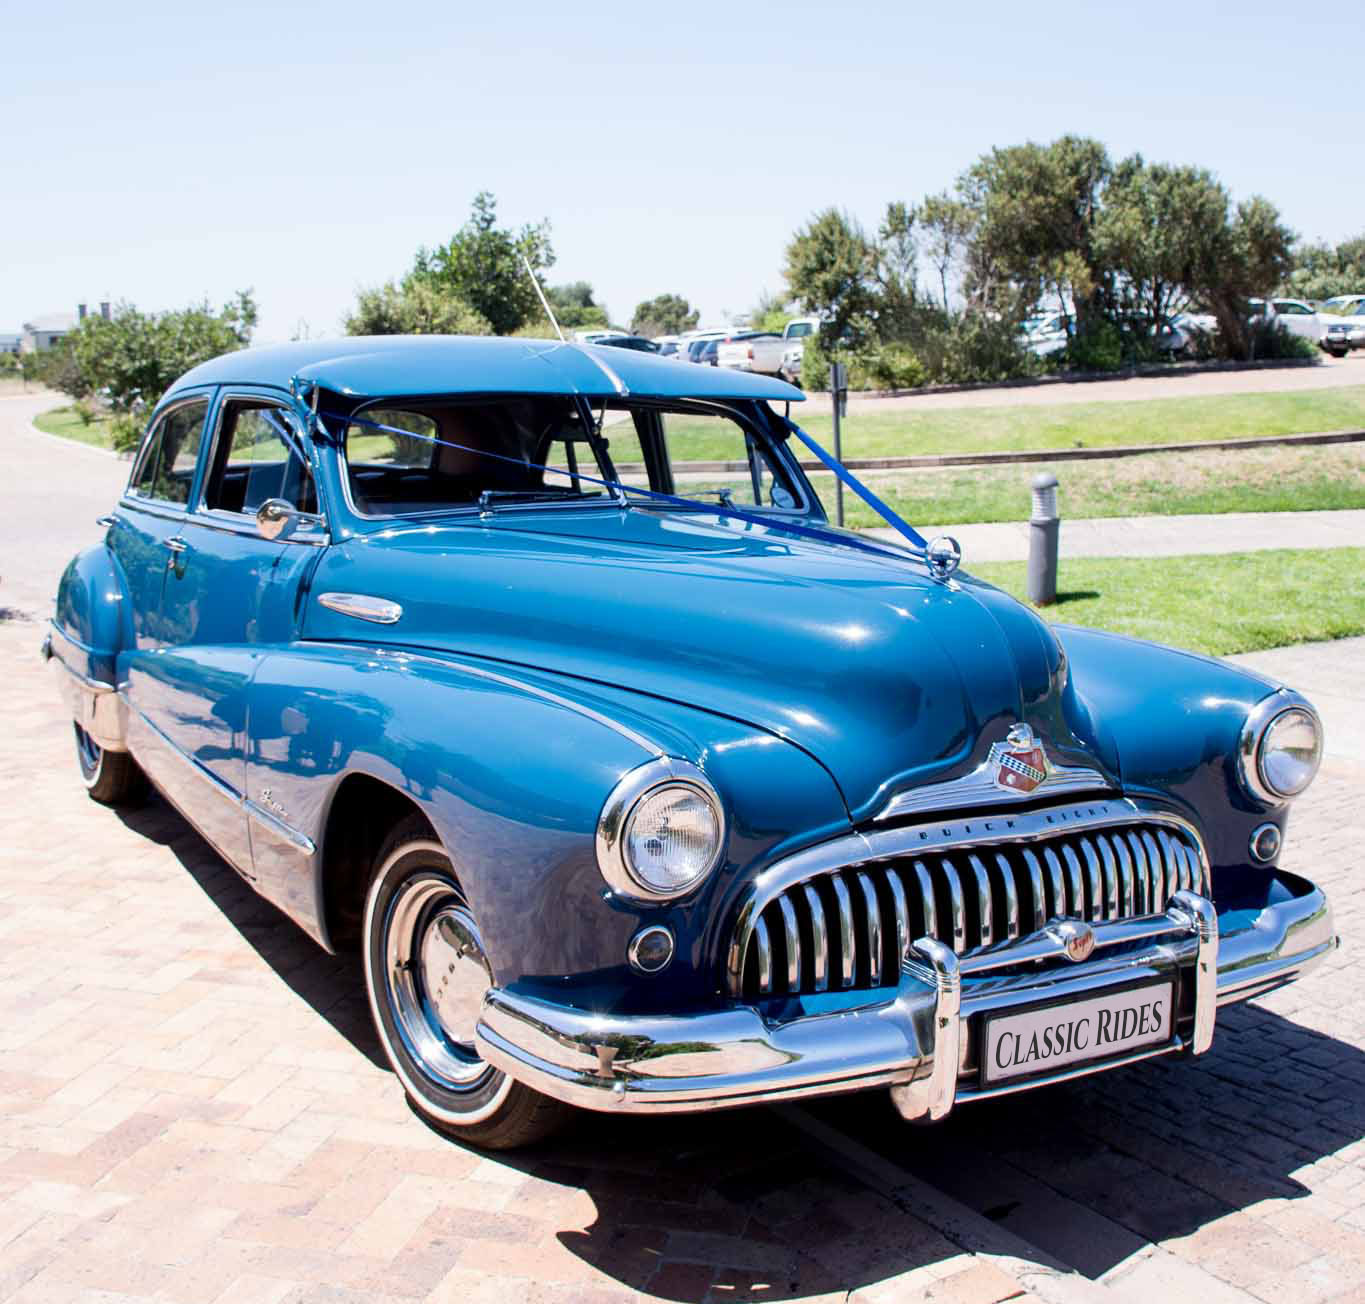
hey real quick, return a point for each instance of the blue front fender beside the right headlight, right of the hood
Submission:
(1176, 719)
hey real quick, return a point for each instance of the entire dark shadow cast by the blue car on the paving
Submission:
(741, 1205)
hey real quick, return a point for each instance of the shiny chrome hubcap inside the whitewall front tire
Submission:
(437, 976)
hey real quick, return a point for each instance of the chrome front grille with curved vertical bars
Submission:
(847, 928)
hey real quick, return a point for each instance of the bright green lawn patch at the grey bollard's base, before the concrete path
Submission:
(1218, 606)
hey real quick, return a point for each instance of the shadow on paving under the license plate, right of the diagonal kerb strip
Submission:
(1095, 1170)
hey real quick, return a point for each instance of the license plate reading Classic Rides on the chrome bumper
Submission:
(1048, 1038)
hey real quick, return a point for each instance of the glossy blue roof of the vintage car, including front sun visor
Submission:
(391, 365)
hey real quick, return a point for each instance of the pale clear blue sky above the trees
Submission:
(166, 154)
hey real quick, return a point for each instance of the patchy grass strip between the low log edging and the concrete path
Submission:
(1255, 480)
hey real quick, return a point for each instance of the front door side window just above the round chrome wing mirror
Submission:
(260, 457)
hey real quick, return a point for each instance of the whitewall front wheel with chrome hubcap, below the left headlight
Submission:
(427, 974)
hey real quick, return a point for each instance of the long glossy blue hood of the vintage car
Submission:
(884, 675)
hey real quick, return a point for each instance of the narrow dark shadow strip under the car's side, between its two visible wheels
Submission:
(331, 985)
